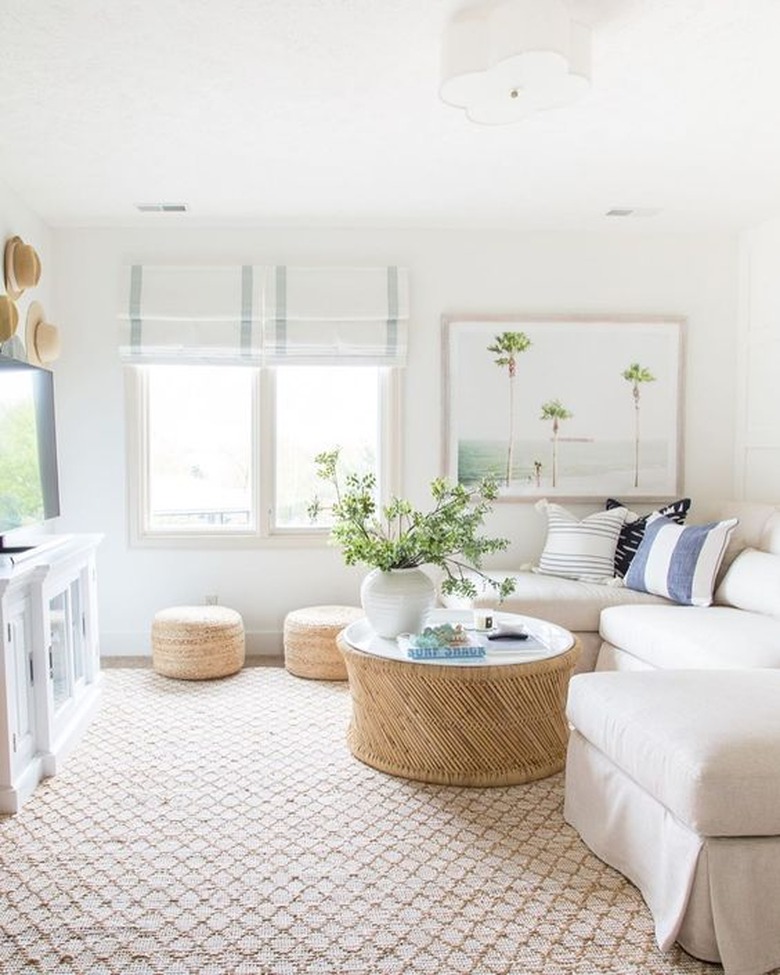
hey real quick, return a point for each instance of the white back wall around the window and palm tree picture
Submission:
(450, 272)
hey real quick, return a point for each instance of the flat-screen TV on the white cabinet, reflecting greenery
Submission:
(29, 483)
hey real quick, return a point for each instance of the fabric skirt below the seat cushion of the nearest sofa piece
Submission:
(717, 897)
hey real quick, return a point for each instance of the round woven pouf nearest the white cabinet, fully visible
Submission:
(197, 642)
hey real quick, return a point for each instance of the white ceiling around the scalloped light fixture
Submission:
(326, 113)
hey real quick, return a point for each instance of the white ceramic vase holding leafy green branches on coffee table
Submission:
(397, 601)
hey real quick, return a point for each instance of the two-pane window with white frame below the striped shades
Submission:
(227, 452)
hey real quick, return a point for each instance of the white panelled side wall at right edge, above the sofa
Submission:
(757, 455)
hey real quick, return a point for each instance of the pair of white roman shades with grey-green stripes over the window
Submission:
(260, 314)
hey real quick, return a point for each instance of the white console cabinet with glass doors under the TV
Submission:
(51, 660)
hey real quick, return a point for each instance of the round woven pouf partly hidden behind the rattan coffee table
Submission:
(310, 641)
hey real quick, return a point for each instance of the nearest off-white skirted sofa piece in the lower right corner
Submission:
(673, 778)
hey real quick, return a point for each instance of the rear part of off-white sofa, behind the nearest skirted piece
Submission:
(623, 629)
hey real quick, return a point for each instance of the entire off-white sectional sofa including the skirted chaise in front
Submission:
(673, 768)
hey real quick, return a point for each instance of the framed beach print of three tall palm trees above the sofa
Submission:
(573, 407)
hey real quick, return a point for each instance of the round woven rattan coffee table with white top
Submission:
(498, 720)
